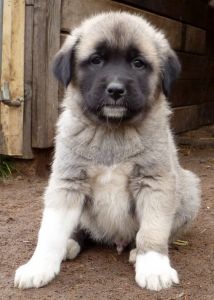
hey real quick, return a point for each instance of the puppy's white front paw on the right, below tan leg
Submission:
(153, 271)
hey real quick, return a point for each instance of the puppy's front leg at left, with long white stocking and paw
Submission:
(60, 218)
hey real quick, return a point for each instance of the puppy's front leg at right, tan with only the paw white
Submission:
(155, 209)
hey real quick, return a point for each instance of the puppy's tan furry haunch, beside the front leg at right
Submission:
(189, 197)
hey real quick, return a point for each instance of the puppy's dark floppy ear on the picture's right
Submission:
(170, 71)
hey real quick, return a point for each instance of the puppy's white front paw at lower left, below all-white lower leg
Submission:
(35, 273)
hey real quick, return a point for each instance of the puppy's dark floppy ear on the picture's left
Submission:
(64, 61)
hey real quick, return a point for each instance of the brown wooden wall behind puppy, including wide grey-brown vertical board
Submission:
(183, 21)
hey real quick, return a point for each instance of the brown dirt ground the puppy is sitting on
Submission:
(99, 273)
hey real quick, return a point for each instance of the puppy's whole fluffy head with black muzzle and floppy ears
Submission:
(119, 63)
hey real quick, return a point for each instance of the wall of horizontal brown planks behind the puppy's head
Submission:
(185, 24)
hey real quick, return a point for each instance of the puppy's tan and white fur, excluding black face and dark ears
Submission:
(130, 177)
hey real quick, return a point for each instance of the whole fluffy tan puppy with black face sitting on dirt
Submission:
(116, 174)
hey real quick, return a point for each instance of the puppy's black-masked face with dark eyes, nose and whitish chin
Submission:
(114, 82)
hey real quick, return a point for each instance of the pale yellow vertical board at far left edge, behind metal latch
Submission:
(12, 72)
